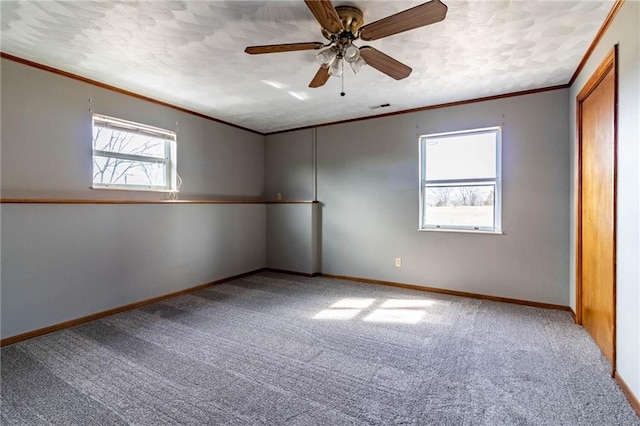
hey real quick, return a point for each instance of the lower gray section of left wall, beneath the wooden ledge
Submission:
(61, 261)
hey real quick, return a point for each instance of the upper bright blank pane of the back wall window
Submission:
(462, 156)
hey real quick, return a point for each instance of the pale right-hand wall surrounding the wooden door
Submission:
(623, 32)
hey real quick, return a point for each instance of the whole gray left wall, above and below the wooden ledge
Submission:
(61, 262)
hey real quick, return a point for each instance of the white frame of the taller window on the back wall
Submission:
(496, 182)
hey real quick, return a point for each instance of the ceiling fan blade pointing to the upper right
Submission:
(416, 17)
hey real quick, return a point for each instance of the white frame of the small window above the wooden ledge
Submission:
(168, 160)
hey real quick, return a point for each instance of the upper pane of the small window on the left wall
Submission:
(115, 140)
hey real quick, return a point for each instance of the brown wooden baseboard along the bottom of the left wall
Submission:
(108, 312)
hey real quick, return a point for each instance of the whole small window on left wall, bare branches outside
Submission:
(129, 155)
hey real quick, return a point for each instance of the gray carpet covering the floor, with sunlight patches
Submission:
(273, 349)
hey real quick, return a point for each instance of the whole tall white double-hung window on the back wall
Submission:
(460, 185)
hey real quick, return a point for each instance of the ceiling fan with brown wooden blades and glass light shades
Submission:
(343, 25)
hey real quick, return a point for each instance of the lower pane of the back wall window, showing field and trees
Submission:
(453, 206)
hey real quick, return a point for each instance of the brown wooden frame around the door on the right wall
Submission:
(609, 63)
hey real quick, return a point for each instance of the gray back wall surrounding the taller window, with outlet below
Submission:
(367, 176)
